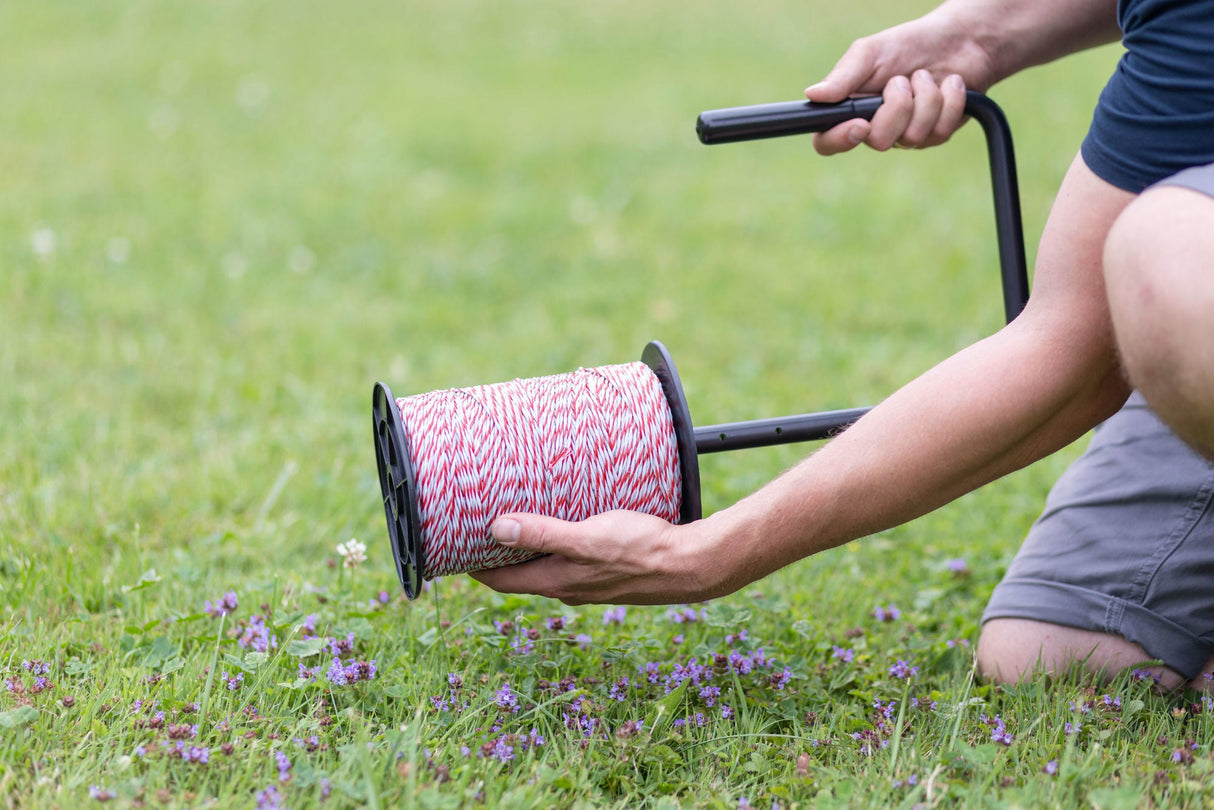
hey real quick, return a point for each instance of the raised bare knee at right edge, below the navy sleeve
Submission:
(1160, 279)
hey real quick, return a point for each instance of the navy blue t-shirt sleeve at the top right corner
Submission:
(1156, 115)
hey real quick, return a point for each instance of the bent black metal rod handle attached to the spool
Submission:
(735, 124)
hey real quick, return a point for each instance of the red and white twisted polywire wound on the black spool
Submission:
(569, 446)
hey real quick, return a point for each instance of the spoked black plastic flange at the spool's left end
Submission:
(399, 485)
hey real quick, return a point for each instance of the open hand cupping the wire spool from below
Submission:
(617, 558)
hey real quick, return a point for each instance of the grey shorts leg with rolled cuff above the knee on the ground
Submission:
(1126, 545)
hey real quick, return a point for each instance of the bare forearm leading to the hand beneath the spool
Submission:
(984, 414)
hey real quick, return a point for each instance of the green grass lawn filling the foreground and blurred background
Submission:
(222, 223)
